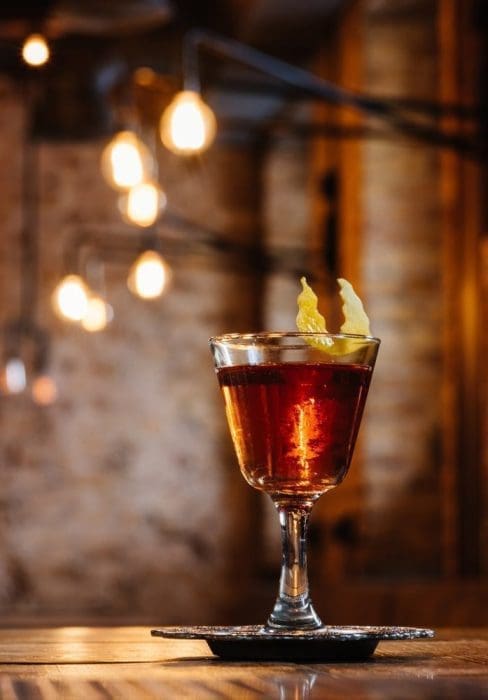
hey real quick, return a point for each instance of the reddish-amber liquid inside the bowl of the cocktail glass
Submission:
(294, 425)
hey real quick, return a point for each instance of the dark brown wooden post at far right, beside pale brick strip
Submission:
(462, 225)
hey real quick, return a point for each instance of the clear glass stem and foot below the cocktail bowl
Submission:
(293, 608)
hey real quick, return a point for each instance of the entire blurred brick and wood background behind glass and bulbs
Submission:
(122, 498)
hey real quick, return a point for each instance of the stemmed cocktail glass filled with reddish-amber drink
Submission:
(294, 403)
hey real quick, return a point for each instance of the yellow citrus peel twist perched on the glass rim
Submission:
(310, 320)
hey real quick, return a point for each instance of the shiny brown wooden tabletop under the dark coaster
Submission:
(97, 663)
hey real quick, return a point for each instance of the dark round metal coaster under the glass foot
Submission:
(327, 643)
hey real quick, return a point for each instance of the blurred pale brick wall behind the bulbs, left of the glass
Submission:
(117, 499)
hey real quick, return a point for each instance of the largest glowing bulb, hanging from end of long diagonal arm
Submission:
(188, 125)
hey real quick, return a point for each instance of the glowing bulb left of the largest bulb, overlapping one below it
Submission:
(126, 161)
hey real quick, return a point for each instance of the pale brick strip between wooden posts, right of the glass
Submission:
(402, 282)
